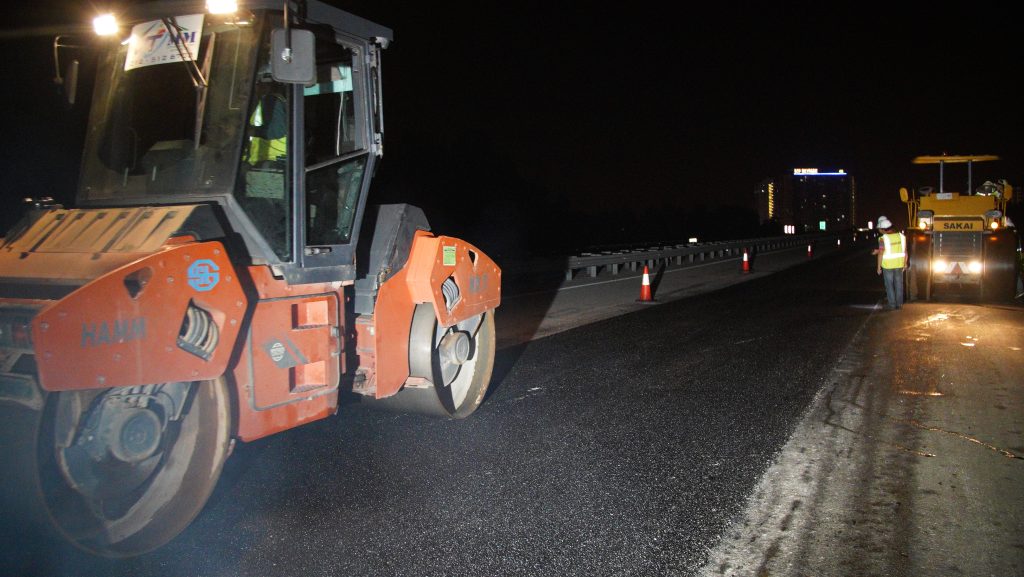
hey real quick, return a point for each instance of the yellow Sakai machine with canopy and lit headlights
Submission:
(962, 240)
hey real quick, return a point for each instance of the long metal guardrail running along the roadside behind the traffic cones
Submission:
(679, 255)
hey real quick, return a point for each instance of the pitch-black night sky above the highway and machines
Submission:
(527, 127)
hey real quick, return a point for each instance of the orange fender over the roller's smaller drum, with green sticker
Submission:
(455, 277)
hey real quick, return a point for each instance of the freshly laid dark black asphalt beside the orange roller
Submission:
(625, 447)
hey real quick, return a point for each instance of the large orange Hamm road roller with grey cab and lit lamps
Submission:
(205, 290)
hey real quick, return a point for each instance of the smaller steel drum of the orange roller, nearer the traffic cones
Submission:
(464, 392)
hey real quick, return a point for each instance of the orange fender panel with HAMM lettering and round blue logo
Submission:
(170, 316)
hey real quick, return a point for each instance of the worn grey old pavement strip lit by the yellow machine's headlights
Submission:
(910, 463)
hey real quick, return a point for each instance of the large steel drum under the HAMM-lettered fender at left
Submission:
(129, 509)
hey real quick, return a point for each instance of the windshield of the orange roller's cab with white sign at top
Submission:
(168, 109)
